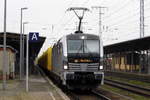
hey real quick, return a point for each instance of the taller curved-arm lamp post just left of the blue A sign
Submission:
(21, 49)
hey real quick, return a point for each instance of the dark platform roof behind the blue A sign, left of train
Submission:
(13, 40)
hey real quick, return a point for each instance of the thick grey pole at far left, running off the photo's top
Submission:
(4, 47)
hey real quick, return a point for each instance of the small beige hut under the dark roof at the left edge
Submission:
(10, 61)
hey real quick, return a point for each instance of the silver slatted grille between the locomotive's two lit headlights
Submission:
(83, 66)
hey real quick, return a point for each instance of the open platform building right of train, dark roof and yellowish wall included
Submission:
(129, 56)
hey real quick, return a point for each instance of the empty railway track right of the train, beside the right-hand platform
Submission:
(128, 87)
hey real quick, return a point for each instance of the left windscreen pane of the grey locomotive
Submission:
(75, 46)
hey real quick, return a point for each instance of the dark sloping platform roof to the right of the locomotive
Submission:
(131, 45)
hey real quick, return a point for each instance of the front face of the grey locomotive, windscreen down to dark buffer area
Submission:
(83, 67)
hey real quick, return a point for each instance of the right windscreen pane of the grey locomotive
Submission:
(91, 46)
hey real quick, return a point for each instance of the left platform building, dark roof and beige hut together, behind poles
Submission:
(13, 53)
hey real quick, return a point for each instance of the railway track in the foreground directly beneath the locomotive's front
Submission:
(97, 94)
